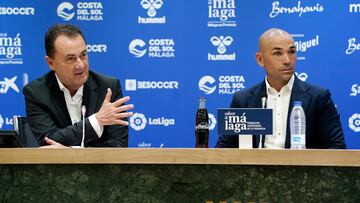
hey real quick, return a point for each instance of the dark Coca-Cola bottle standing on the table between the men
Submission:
(202, 125)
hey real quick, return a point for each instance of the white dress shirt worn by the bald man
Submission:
(279, 102)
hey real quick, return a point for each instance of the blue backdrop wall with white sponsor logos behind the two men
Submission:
(167, 54)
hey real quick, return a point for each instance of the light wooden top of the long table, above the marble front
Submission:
(180, 156)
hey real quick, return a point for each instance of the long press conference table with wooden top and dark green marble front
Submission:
(179, 175)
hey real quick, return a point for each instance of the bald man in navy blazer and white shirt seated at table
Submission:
(277, 55)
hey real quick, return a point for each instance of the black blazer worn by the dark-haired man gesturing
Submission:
(48, 115)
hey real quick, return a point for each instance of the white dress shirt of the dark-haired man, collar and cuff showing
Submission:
(73, 105)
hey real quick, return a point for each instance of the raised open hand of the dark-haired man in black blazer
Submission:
(112, 113)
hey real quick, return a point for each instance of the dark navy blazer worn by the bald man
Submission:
(323, 126)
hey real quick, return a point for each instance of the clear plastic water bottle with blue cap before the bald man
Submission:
(297, 126)
